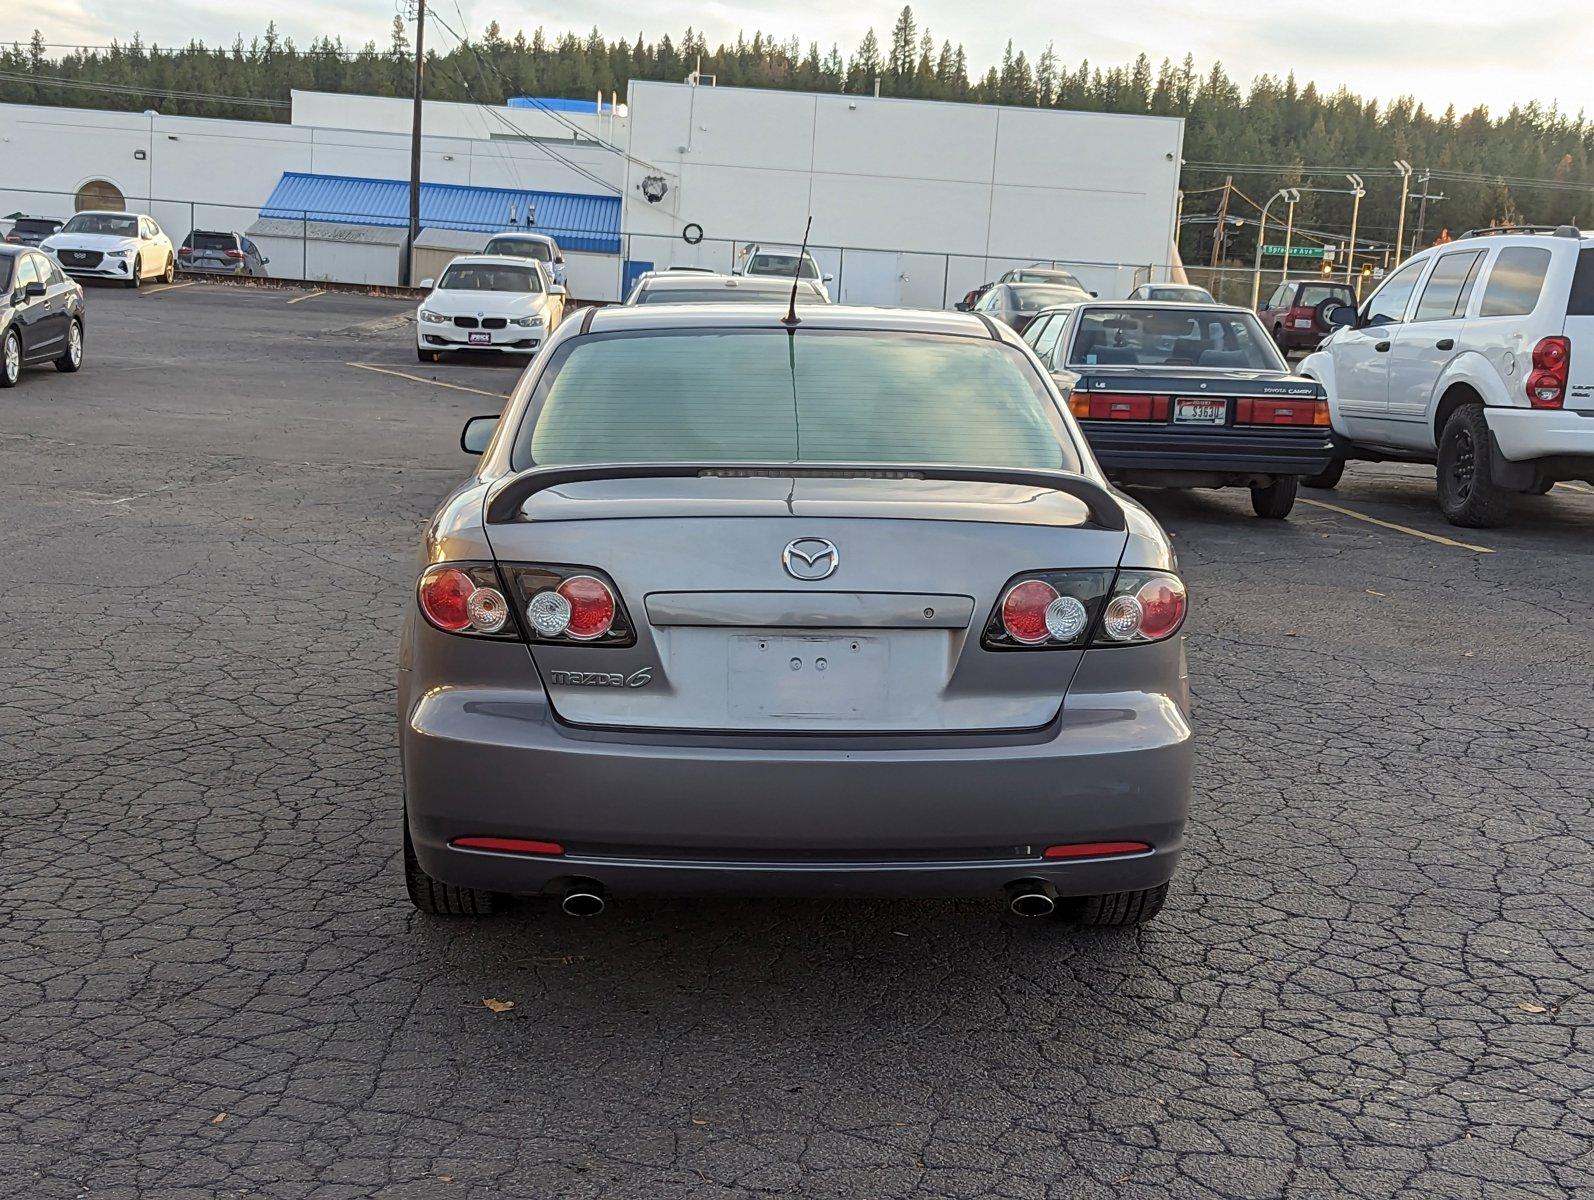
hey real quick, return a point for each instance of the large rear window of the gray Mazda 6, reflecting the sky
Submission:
(814, 396)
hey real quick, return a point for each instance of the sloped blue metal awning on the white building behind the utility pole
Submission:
(579, 222)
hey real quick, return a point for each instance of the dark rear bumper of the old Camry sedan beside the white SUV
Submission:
(1276, 450)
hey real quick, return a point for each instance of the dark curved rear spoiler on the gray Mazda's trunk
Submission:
(509, 495)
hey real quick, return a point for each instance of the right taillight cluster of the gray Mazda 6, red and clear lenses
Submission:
(1072, 610)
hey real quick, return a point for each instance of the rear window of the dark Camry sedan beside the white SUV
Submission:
(1172, 337)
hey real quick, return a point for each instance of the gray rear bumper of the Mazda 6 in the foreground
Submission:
(806, 815)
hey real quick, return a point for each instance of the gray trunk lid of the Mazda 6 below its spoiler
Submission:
(728, 640)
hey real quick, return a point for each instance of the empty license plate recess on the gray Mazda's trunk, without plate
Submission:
(809, 676)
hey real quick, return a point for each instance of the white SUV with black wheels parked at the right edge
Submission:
(1464, 358)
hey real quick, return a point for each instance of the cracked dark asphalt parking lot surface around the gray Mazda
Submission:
(1372, 979)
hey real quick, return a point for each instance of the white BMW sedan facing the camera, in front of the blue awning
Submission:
(489, 304)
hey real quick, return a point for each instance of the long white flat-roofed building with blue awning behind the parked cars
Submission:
(913, 202)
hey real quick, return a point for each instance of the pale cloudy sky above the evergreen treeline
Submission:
(1443, 52)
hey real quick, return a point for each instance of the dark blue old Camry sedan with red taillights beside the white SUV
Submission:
(1193, 396)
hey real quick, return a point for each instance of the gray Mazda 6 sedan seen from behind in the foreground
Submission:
(834, 606)
